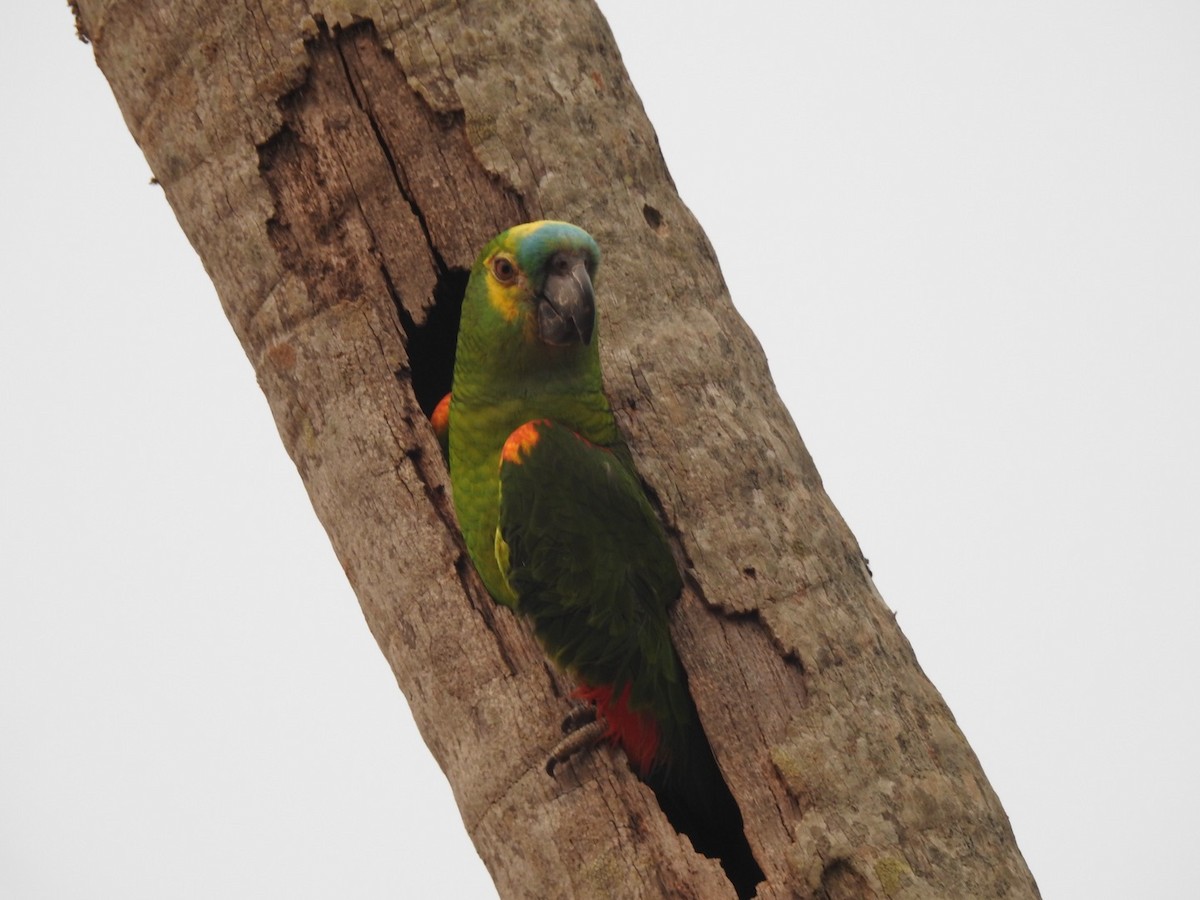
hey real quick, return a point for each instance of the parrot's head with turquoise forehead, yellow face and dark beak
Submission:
(530, 307)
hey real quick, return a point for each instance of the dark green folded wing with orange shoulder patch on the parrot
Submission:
(587, 559)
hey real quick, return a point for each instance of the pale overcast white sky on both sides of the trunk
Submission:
(969, 238)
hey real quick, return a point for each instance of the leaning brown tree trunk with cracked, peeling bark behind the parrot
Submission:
(337, 170)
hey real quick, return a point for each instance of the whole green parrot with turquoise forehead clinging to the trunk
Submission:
(560, 529)
